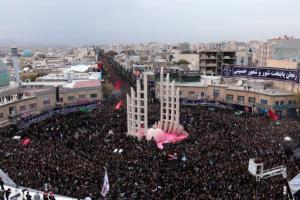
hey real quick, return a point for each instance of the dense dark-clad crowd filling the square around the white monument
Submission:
(69, 153)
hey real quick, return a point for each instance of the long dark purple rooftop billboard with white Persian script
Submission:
(260, 73)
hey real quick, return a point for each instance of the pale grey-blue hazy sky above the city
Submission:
(107, 21)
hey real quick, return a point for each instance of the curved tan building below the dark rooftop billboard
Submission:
(281, 102)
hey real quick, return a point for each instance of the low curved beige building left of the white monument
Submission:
(29, 100)
